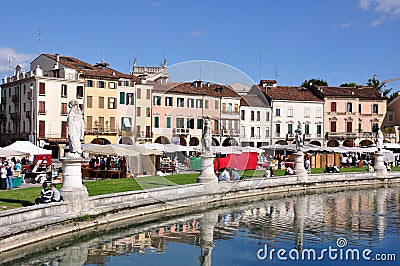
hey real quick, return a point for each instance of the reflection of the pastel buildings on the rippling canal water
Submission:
(297, 221)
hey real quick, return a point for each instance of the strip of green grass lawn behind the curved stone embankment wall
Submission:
(26, 196)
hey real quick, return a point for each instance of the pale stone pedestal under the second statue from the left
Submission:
(207, 175)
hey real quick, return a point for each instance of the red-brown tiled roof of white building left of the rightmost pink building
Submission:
(290, 93)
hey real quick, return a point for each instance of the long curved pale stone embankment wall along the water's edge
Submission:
(27, 225)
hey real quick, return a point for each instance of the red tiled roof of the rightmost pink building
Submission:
(349, 92)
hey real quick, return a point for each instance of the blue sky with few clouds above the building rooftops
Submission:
(290, 41)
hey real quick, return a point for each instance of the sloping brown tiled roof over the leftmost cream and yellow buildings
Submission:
(91, 70)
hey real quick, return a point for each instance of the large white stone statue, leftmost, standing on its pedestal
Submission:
(75, 128)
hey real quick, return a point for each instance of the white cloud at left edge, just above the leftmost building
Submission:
(23, 60)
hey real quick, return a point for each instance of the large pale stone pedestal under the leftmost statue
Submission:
(72, 189)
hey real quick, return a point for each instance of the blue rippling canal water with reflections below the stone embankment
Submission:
(352, 227)
